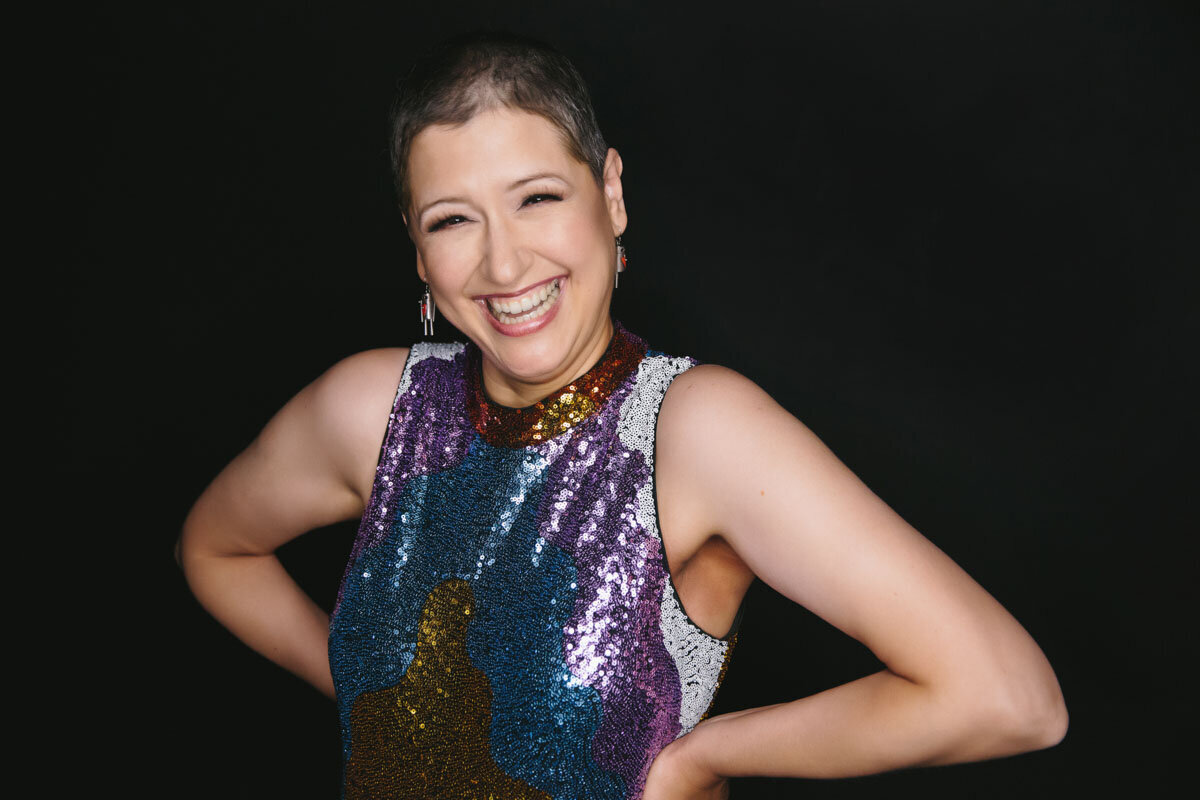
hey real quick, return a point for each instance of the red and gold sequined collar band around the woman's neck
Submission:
(562, 410)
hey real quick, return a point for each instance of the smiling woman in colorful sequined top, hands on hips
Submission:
(550, 498)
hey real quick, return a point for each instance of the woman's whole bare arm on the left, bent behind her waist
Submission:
(313, 466)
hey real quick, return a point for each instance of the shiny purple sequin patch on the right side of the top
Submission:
(589, 512)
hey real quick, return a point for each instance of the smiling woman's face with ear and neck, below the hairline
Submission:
(517, 242)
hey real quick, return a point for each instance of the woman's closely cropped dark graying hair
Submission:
(481, 71)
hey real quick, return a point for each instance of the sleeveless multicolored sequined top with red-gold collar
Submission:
(507, 627)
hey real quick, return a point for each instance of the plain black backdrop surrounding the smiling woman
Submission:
(958, 240)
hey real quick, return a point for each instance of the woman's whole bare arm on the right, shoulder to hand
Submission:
(964, 681)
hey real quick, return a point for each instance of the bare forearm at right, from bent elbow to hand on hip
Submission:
(873, 725)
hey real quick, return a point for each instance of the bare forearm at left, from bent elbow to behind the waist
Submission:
(261, 604)
